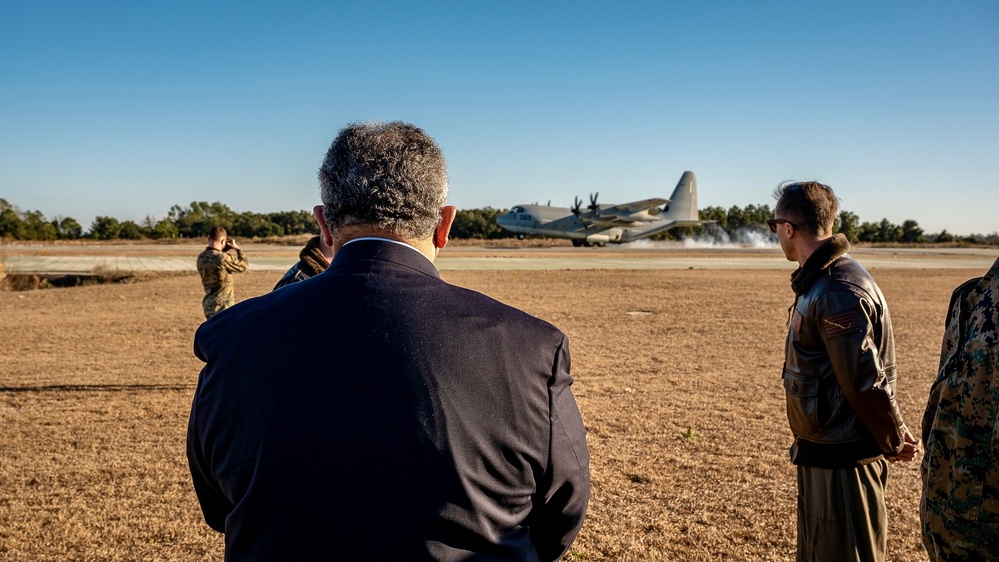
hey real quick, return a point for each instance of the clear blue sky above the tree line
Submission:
(127, 108)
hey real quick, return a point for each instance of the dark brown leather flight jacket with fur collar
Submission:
(839, 368)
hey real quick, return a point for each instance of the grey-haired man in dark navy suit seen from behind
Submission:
(403, 418)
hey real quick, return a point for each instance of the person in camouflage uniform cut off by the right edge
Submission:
(959, 509)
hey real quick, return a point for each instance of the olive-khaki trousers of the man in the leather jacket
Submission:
(841, 513)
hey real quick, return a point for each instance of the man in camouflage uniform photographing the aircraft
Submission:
(216, 266)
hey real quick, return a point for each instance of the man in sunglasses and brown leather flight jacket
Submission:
(839, 380)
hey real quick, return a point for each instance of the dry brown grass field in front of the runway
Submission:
(677, 376)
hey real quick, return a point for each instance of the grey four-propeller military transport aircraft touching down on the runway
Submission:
(599, 224)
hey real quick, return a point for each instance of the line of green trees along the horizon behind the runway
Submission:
(197, 218)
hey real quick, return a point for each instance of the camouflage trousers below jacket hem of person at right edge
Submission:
(947, 538)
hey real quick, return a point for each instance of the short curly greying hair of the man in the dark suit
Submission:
(390, 176)
